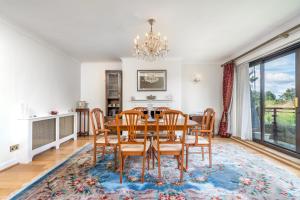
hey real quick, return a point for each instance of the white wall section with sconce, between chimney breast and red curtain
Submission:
(196, 97)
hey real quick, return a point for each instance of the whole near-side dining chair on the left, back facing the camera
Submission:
(132, 146)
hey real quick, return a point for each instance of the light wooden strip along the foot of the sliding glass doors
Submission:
(291, 161)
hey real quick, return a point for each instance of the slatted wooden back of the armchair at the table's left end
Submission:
(97, 121)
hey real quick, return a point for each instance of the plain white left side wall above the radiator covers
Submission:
(35, 74)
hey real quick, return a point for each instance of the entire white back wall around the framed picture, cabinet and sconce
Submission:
(187, 95)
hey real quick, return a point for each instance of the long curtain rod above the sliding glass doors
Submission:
(284, 34)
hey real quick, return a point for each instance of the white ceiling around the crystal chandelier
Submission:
(198, 30)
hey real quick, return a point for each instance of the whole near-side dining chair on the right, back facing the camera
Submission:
(170, 145)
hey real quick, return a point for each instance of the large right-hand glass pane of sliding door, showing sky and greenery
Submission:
(278, 101)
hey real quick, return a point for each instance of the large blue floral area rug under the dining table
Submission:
(236, 174)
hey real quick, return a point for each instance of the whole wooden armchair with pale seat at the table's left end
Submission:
(101, 135)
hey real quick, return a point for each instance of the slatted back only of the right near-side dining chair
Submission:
(170, 121)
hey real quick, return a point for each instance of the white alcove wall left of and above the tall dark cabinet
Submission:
(93, 82)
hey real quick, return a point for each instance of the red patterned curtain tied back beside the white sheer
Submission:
(228, 72)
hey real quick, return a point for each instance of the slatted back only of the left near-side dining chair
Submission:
(131, 119)
